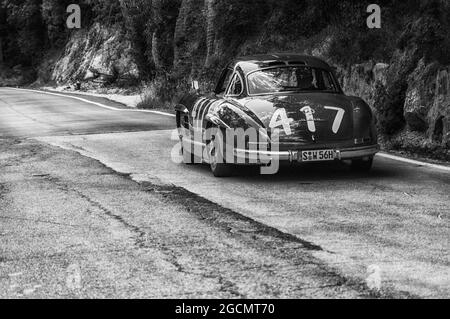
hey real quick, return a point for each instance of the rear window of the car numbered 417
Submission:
(298, 78)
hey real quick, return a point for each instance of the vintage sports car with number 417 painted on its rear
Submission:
(276, 108)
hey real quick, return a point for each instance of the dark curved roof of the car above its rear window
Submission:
(256, 62)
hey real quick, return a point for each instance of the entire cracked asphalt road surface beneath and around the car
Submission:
(315, 231)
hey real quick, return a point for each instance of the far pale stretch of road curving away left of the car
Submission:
(25, 114)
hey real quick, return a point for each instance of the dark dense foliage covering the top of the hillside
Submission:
(167, 32)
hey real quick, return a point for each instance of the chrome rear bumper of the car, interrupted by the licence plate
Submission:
(244, 156)
